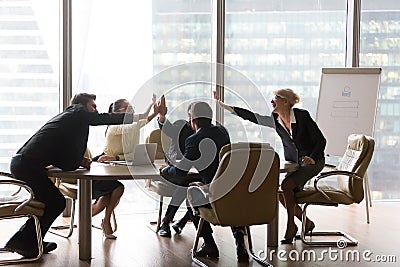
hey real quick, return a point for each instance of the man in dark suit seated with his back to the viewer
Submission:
(202, 151)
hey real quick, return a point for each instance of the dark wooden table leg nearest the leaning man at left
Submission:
(85, 219)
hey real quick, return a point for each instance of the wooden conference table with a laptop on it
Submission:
(101, 171)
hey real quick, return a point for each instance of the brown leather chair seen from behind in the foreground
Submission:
(243, 191)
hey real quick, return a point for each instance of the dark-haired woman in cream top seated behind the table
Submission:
(119, 138)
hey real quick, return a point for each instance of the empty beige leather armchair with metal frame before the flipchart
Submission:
(346, 189)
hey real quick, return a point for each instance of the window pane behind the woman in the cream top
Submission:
(131, 49)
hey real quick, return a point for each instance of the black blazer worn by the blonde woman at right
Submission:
(306, 140)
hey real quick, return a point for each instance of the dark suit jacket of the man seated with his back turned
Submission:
(202, 152)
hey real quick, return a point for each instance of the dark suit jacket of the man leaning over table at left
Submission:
(62, 140)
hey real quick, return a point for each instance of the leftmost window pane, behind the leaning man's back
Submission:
(29, 71)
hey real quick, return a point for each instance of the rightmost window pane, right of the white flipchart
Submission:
(380, 46)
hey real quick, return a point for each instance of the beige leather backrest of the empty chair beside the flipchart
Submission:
(356, 158)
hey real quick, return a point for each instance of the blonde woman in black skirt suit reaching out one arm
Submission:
(303, 142)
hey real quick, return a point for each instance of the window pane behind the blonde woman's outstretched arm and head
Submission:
(279, 44)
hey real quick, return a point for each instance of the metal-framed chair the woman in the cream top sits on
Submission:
(69, 188)
